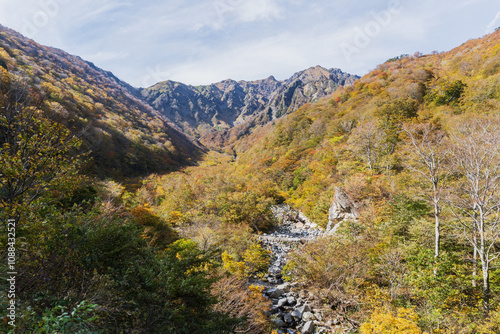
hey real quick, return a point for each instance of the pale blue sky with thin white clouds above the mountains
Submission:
(205, 41)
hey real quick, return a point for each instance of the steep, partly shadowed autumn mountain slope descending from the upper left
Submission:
(126, 135)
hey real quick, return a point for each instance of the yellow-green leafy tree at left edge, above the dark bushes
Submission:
(36, 154)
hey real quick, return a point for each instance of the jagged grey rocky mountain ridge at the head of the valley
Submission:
(205, 111)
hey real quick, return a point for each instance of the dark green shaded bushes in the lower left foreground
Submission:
(103, 253)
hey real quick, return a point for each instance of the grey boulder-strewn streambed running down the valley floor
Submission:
(292, 308)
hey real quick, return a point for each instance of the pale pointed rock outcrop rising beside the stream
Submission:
(342, 208)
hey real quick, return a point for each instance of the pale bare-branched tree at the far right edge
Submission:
(476, 200)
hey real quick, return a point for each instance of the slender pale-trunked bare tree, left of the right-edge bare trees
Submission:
(426, 144)
